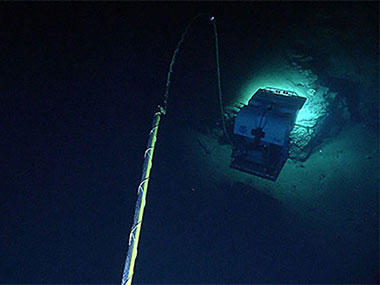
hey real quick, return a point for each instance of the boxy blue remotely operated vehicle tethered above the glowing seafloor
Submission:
(261, 132)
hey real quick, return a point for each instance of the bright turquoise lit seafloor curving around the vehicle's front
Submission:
(321, 116)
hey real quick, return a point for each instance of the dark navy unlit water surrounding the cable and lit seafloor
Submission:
(79, 85)
